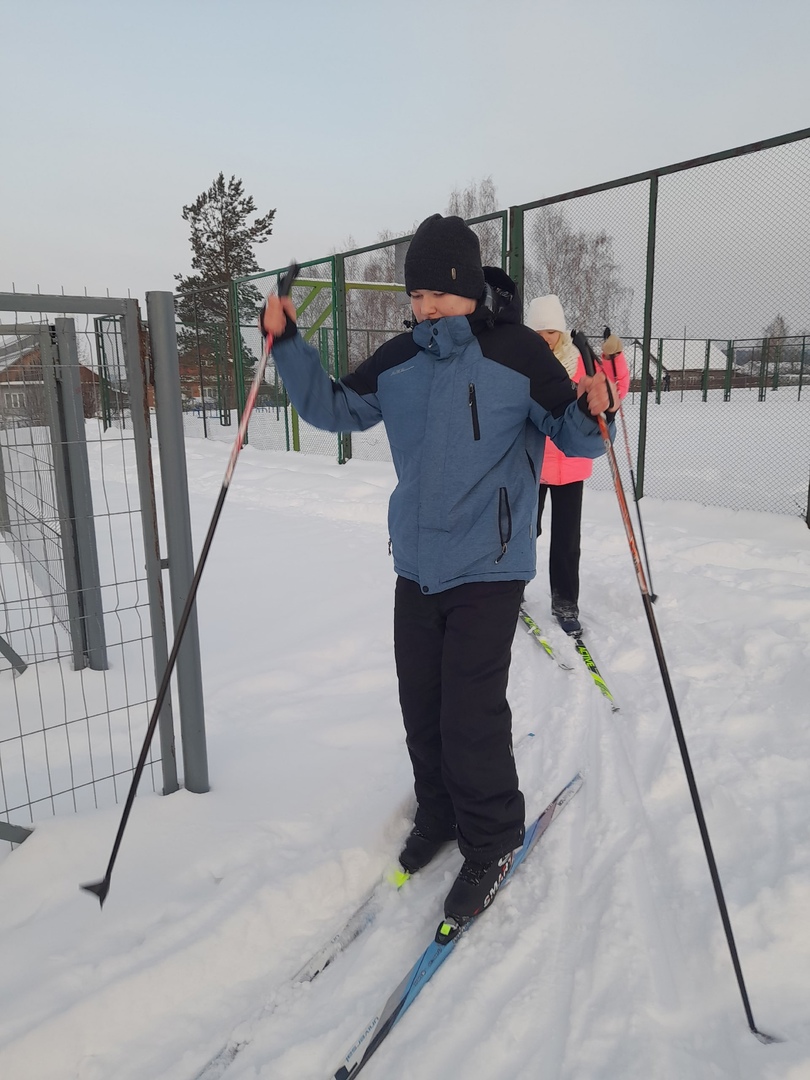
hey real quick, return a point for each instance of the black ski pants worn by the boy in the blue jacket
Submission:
(453, 654)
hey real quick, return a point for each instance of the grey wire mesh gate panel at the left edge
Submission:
(74, 708)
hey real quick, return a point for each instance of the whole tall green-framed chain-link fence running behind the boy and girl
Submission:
(703, 268)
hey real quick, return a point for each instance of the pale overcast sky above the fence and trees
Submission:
(354, 117)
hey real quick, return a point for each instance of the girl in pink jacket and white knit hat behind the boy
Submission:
(562, 476)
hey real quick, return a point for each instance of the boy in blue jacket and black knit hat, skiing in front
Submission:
(468, 398)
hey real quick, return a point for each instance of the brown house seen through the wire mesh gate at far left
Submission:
(22, 387)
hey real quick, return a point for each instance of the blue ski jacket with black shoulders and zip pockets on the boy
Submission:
(467, 402)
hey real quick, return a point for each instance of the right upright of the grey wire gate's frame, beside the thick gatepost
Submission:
(142, 436)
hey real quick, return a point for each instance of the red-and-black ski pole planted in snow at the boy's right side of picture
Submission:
(589, 360)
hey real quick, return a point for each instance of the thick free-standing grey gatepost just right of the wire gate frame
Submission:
(169, 415)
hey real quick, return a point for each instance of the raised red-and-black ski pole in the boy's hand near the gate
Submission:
(102, 888)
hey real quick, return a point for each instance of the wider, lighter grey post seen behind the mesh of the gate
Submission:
(85, 535)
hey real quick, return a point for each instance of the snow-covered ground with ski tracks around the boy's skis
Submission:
(604, 961)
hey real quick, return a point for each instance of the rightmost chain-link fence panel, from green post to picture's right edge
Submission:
(732, 269)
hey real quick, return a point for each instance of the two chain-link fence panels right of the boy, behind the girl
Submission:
(704, 269)
